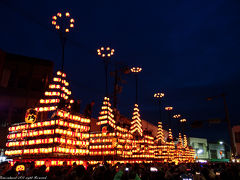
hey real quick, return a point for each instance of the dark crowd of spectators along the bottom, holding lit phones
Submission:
(143, 171)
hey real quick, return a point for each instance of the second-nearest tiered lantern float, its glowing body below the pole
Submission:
(113, 141)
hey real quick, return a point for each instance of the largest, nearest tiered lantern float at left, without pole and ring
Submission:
(60, 135)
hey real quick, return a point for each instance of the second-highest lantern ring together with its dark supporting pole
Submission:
(105, 54)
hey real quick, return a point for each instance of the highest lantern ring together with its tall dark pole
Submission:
(63, 23)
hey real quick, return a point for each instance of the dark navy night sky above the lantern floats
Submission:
(188, 49)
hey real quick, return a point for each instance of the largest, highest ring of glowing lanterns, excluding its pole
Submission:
(63, 22)
